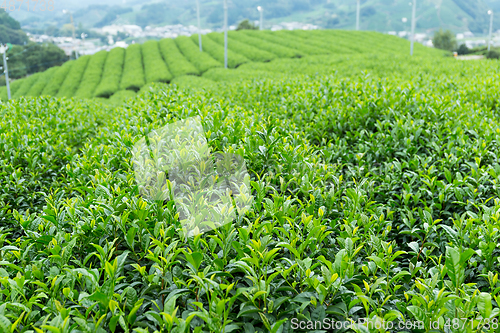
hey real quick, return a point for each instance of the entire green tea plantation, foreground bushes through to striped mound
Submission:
(375, 177)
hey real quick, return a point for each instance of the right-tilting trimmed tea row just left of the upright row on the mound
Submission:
(112, 73)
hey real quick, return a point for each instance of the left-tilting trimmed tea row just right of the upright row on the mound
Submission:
(155, 68)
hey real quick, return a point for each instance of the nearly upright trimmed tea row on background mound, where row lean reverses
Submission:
(133, 69)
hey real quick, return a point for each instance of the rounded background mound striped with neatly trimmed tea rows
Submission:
(107, 73)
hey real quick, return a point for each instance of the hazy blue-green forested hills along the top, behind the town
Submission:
(379, 15)
